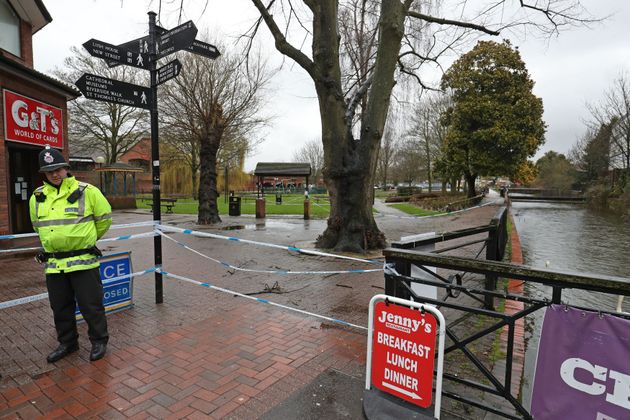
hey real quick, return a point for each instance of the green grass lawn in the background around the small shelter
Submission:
(291, 204)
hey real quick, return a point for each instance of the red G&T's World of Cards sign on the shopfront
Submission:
(27, 120)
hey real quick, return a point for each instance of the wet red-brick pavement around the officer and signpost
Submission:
(203, 353)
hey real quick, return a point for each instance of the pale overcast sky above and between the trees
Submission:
(569, 70)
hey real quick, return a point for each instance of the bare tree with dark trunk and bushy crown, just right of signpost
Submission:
(214, 104)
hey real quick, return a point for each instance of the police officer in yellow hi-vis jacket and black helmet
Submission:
(69, 217)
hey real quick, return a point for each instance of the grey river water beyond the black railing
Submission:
(569, 237)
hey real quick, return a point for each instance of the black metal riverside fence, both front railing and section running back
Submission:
(484, 299)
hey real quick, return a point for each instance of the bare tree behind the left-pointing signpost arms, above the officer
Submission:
(101, 127)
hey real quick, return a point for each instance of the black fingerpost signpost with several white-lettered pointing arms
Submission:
(144, 53)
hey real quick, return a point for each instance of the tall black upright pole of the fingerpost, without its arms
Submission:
(155, 158)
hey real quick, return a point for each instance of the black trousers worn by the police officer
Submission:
(86, 287)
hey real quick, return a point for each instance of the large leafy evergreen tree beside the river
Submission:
(495, 122)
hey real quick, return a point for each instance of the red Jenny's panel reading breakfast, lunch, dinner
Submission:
(403, 351)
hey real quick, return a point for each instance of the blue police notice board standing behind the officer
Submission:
(117, 289)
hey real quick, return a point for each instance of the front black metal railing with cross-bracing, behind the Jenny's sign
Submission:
(400, 284)
